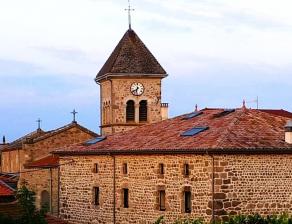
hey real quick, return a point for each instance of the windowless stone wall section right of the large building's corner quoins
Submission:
(247, 184)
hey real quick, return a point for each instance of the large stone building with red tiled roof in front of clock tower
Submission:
(208, 164)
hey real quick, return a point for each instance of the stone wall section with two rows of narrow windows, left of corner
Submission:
(143, 181)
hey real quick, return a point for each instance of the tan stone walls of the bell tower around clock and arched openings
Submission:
(116, 93)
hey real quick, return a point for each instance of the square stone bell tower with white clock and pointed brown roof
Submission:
(130, 87)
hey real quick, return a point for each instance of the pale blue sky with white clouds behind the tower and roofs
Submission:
(216, 53)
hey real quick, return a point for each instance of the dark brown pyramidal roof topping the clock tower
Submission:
(131, 57)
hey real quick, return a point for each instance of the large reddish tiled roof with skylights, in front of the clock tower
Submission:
(243, 130)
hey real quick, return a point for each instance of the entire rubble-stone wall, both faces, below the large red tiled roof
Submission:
(243, 184)
